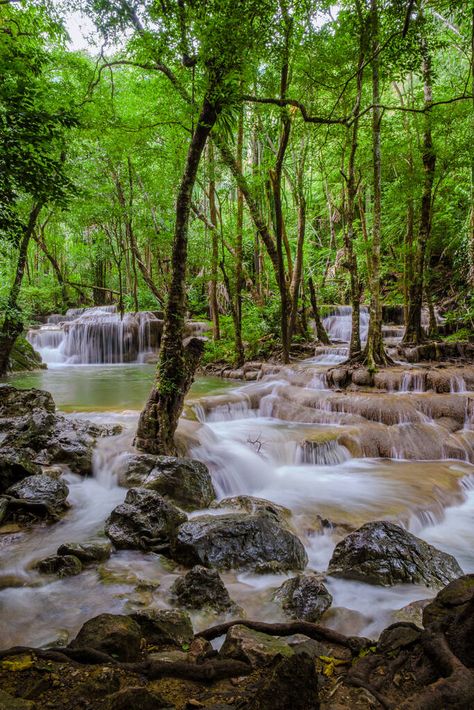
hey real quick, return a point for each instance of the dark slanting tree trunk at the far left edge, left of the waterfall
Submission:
(13, 324)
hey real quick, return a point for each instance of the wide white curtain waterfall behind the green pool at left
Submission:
(91, 336)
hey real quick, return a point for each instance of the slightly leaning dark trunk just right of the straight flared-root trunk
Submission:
(414, 332)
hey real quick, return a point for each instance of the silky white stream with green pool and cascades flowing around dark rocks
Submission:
(253, 444)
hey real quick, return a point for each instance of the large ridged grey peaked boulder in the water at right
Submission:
(383, 553)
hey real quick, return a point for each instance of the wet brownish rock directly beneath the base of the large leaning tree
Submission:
(185, 481)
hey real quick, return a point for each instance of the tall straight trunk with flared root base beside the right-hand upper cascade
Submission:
(374, 353)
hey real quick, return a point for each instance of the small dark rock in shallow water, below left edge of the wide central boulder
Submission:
(202, 588)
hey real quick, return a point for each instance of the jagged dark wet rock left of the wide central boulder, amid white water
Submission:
(145, 521)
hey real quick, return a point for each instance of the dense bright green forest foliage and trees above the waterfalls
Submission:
(335, 164)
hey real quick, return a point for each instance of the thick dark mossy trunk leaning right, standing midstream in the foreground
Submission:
(178, 360)
